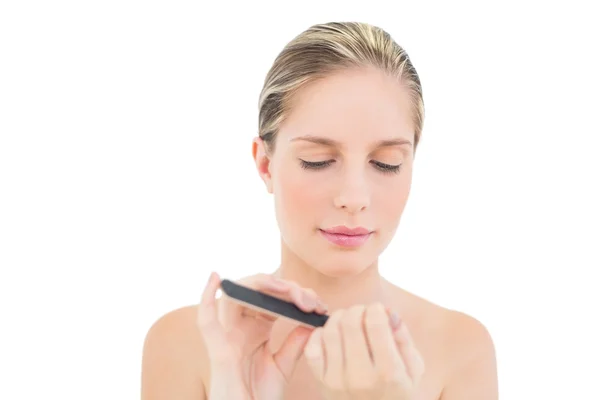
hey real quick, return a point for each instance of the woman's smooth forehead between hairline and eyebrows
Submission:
(354, 107)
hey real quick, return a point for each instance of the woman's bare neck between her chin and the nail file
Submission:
(366, 287)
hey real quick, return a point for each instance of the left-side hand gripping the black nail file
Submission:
(237, 340)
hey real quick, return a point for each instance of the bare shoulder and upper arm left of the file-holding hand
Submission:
(171, 358)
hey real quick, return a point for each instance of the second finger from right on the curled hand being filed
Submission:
(386, 356)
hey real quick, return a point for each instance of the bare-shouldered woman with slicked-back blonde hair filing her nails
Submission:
(341, 114)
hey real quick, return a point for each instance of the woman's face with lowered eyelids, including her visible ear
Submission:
(343, 157)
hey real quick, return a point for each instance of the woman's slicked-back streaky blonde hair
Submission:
(323, 49)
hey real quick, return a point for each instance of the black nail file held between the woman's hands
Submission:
(273, 306)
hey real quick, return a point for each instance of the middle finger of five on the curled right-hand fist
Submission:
(359, 366)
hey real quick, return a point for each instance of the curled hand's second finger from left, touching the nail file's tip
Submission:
(334, 353)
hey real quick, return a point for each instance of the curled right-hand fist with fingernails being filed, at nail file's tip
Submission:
(364, 353)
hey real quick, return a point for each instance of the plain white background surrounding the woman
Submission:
(125, 140)
